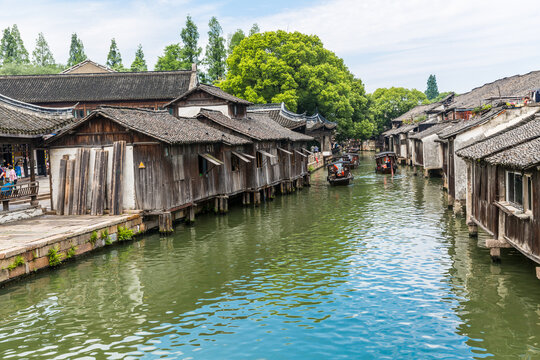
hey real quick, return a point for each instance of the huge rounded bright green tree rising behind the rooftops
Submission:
(296, 69)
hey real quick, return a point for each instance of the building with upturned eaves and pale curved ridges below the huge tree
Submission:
(315, 125)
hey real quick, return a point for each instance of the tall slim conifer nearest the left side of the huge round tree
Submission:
(215, 52)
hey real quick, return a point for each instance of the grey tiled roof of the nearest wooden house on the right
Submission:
(524, 131)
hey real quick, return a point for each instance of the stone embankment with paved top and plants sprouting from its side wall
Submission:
(29, 245)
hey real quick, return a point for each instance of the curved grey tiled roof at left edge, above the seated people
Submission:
(18, 118)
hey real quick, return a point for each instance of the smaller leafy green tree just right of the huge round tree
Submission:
(388, 104)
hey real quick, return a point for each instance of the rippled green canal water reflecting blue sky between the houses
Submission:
(380, 269)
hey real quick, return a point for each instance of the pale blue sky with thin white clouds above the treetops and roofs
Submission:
(465, 43)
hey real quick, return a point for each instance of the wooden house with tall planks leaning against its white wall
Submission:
(124, 158)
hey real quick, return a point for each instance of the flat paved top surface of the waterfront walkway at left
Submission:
(25, 235)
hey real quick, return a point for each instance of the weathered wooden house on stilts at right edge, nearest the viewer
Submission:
(503, 179)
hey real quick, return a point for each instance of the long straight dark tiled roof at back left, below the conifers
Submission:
(72, 88)
